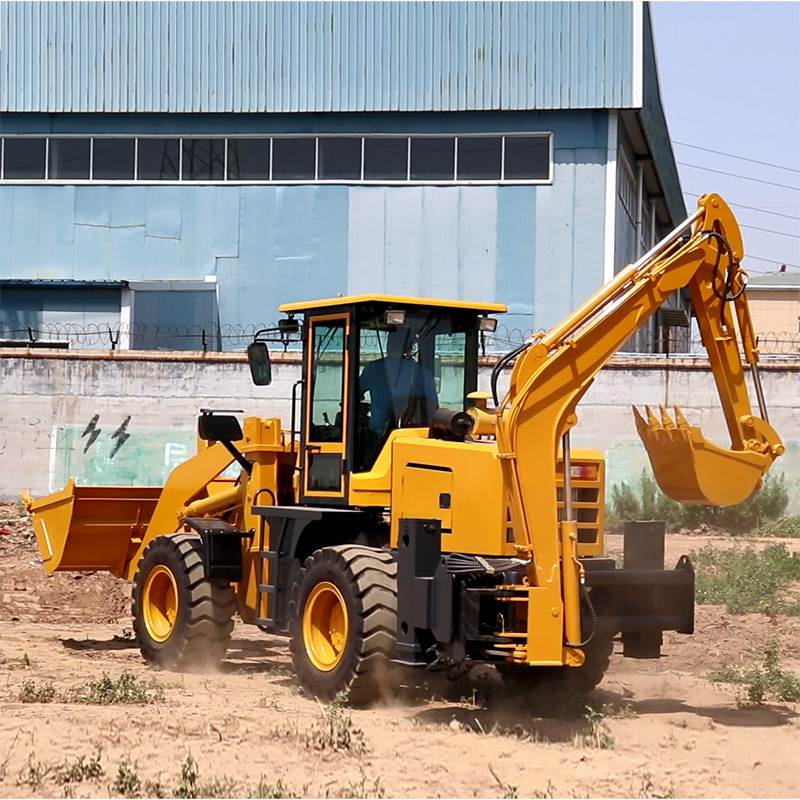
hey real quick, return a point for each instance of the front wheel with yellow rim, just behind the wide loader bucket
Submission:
(182, 620)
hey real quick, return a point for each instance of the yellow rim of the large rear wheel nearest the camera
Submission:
(325, 626)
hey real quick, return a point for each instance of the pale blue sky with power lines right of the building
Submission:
(730, 84)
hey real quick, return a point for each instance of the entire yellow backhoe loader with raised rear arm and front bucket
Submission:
(401, 517)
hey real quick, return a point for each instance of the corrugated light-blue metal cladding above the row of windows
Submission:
(63, 57)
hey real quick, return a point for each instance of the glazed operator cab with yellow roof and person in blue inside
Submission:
(373, 364)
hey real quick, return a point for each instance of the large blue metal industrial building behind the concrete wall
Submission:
(171, 172)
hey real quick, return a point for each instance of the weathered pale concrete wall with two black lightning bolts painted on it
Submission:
(130, 418)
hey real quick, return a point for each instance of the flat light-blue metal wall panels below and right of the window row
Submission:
(537, 248)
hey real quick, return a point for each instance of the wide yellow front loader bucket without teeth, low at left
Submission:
(84, 528)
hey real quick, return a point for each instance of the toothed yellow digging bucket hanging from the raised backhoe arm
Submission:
(690, 469)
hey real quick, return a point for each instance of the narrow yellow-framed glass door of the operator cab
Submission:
(327, 377)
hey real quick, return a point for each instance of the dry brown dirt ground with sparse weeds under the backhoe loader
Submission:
(667, 730)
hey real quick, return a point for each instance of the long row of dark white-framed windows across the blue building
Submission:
(497, 158)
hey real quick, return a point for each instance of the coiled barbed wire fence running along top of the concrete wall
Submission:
(221, 338)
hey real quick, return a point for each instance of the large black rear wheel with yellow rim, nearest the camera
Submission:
(343, 622)
